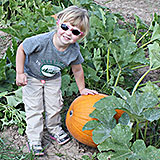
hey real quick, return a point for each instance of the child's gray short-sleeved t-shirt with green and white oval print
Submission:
(44, 61)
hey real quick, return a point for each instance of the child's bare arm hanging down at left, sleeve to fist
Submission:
(21, 79)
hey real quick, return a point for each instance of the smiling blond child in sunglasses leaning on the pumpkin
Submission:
(39, 62)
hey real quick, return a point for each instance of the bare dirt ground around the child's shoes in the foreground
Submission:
(73, 150)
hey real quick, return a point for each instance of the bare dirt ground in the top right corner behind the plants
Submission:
(128, 8)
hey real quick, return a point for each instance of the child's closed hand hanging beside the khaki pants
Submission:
(21, 79)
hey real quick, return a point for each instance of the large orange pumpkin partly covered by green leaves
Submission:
(78, 115)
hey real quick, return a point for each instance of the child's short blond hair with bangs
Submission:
(75, 16)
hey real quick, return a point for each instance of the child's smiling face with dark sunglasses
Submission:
(68, 34)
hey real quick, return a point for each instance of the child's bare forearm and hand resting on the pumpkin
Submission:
(79, 77)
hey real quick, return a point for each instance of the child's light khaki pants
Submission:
(39, 98)
